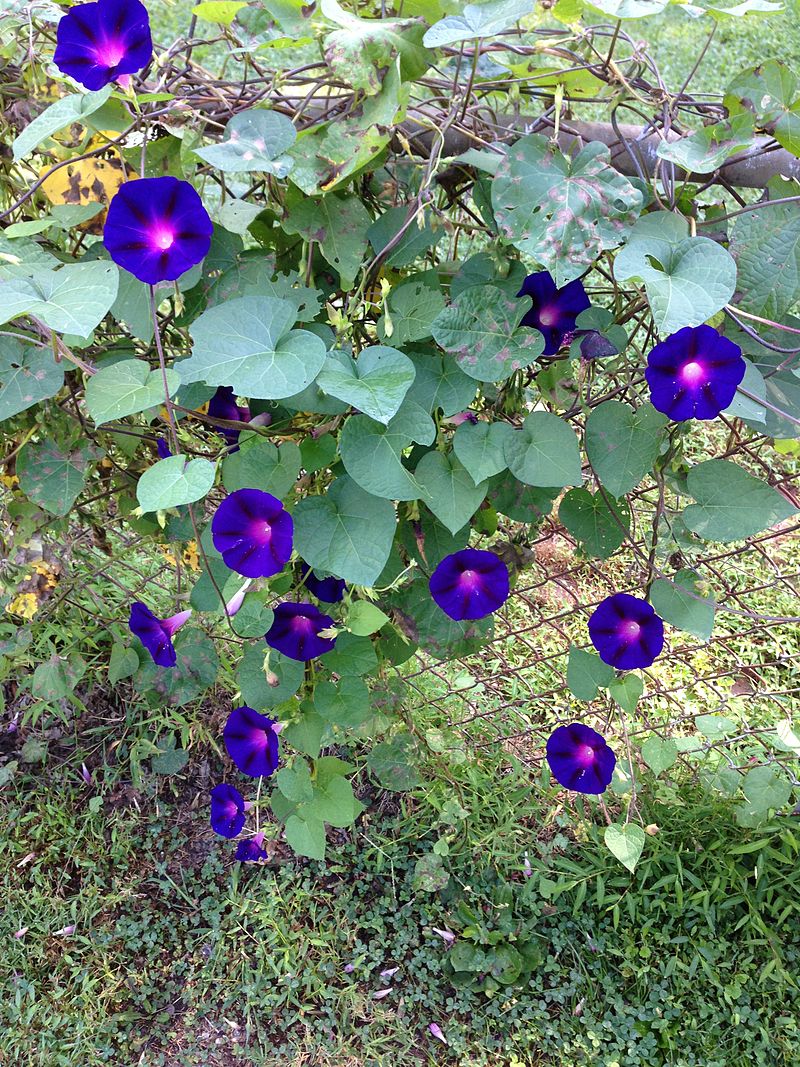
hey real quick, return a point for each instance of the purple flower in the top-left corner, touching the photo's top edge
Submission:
(97, 43)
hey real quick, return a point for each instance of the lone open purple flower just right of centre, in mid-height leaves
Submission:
(471, 584)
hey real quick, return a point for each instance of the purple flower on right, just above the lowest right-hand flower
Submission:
(627, 632)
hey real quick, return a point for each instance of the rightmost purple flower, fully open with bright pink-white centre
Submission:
(694, 374)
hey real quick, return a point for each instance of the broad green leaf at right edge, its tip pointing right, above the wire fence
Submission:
(731, 504)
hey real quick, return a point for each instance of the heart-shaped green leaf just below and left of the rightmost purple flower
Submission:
(623, 444)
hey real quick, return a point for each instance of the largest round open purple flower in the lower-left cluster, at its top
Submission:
(253, 533)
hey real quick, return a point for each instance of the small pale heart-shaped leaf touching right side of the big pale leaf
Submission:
(375, 384)
